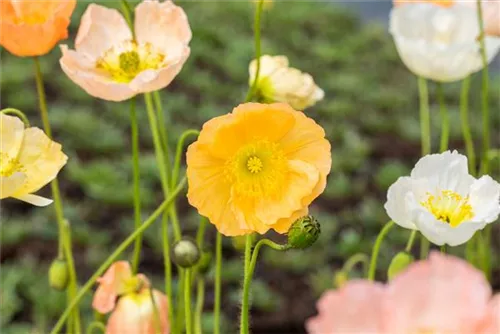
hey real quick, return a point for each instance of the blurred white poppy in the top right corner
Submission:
(440, 43)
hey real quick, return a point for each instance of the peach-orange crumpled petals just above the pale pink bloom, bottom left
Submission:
(116, 281)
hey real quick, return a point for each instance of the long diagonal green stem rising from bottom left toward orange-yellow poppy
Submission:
(119, 250)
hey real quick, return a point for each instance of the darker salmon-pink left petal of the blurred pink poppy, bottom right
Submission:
(355, 308)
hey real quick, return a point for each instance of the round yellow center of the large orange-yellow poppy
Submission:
(257, 169)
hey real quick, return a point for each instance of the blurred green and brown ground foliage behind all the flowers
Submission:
(370, 114)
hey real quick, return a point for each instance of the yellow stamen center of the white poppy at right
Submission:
(449, 207)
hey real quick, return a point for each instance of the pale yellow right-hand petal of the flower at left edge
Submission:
(41, 159)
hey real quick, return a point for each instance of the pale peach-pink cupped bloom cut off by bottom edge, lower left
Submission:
(136, 313)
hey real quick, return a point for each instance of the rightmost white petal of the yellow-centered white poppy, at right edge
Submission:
(484, 198)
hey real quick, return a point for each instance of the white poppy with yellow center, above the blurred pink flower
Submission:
(442, 200)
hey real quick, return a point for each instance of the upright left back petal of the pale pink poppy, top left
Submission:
(100, 29)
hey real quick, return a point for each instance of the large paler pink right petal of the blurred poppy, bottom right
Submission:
(442, 295)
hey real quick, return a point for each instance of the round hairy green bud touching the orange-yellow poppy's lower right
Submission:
(304, 232)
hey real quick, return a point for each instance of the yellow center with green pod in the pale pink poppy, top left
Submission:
(125, 61)
